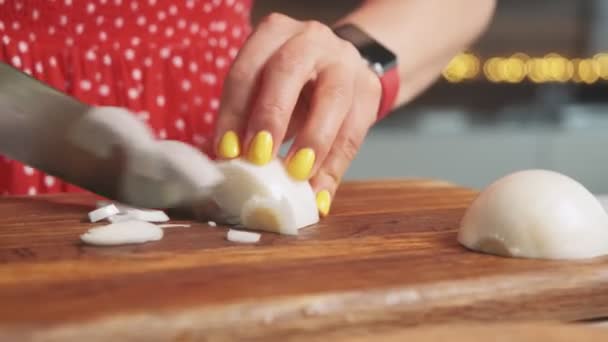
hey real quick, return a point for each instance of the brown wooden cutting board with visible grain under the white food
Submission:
(386, 257)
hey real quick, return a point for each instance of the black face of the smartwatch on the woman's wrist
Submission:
(374, 52)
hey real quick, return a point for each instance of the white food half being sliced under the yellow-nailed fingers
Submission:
(265, 197)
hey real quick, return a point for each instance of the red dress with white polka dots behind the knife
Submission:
(164, 60)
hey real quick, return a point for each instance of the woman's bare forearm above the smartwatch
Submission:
(425, 34)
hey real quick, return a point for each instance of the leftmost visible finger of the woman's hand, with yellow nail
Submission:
(242, 78)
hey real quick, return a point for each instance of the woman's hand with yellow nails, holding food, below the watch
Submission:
(295, 79)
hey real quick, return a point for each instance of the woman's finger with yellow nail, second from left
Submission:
(284, 76)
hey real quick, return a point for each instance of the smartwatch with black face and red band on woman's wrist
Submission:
(381, 60)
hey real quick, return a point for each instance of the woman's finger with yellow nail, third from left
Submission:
(331, 101)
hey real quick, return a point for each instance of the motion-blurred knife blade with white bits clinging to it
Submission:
(104, 150)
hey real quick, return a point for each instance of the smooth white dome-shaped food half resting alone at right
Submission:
(536, 214)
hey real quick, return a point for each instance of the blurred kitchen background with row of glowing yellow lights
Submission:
(531, 93)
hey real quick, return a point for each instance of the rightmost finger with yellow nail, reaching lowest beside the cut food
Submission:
(349, 139)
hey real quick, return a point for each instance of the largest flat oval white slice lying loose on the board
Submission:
(127, 232)
